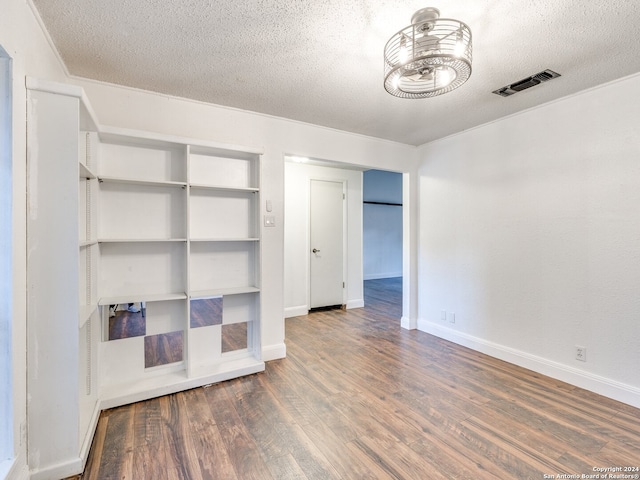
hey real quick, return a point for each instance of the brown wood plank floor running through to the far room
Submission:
(358, 397)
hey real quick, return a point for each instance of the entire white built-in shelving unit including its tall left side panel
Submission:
(164, 232)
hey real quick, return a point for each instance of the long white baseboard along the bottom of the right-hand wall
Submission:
(601, 385)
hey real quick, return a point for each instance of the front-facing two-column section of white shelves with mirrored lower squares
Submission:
(178, 223)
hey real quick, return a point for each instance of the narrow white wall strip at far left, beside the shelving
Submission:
(23, 40)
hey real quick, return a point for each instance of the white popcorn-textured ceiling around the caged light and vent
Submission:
(321, 62)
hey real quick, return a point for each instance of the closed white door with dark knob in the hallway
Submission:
(326, 252)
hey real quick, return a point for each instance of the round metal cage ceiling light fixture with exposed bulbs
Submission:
(428, 58)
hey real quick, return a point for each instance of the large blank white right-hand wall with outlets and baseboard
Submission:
(530, 233)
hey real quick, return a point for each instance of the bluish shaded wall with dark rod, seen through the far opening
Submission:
(382, 224)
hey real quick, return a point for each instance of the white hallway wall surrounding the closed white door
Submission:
(297, 183)
